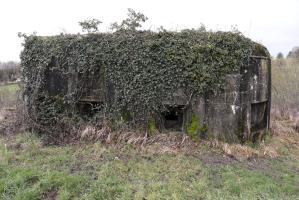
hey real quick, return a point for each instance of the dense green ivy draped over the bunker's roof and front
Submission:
(100, 76)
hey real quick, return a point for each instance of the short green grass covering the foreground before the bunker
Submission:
(29, 170)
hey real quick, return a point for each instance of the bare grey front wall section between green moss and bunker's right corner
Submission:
(223, 114)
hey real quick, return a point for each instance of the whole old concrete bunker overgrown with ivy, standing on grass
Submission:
(80, 76)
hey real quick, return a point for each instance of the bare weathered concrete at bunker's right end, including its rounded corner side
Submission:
(242, 111)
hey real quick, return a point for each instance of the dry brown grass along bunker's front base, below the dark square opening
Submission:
(172, 142)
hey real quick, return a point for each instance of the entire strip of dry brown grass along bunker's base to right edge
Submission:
(283, 133)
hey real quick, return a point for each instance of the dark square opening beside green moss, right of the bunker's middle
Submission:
(173, 118)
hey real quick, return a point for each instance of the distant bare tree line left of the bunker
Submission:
(9, 71)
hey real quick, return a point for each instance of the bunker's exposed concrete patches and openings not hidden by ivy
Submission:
(241, 112)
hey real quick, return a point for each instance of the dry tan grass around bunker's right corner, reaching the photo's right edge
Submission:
(284, 132)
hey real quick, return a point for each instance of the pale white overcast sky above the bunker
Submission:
(275, 23)
